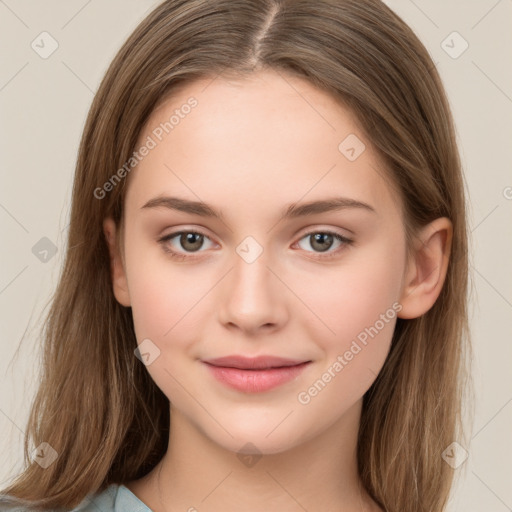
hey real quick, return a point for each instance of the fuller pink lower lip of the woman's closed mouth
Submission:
(256, 381)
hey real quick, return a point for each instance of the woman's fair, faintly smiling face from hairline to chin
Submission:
(320, 287)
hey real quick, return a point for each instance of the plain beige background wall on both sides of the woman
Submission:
(43, 104)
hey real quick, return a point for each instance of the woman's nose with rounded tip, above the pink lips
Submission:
(253, 297)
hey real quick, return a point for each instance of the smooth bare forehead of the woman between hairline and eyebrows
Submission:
(270, 135)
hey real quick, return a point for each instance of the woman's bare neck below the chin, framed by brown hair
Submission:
(197, 474)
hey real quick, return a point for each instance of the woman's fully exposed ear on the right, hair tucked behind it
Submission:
(426, 268)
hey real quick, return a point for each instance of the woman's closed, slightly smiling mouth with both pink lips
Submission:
(255, 375)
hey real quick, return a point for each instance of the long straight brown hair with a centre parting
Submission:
(97, 405)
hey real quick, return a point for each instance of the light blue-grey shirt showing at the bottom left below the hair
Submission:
(115, 498)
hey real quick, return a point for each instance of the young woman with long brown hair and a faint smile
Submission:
(263, 304)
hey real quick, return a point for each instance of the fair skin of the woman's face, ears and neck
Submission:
(249, 148)
